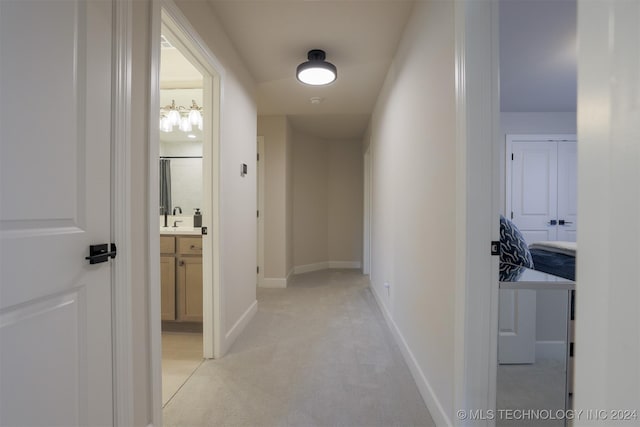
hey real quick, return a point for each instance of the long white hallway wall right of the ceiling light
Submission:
(413, 144)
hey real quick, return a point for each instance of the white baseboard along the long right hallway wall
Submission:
(430, 399)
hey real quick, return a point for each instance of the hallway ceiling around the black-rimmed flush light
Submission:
(359, 37)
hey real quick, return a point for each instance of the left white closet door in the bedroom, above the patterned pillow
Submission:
(534, 188)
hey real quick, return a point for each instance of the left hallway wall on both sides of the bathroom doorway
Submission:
(238, 194)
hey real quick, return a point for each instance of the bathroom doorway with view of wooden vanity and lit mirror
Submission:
(183, 206)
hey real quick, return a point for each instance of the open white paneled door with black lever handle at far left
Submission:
(55, 308)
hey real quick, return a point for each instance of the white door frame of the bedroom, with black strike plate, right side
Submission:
(477, 206)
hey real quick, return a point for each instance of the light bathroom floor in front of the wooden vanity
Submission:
(181, 355)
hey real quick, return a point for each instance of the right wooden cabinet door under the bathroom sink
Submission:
(190, 289)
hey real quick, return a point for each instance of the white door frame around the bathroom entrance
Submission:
(166, 13)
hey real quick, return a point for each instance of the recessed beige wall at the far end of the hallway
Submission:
(328, 192)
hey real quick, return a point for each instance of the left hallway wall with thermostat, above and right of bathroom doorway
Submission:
(237, 194)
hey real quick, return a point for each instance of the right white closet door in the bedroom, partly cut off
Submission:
(567, 191)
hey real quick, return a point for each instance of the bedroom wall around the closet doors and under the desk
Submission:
(550, 305)
